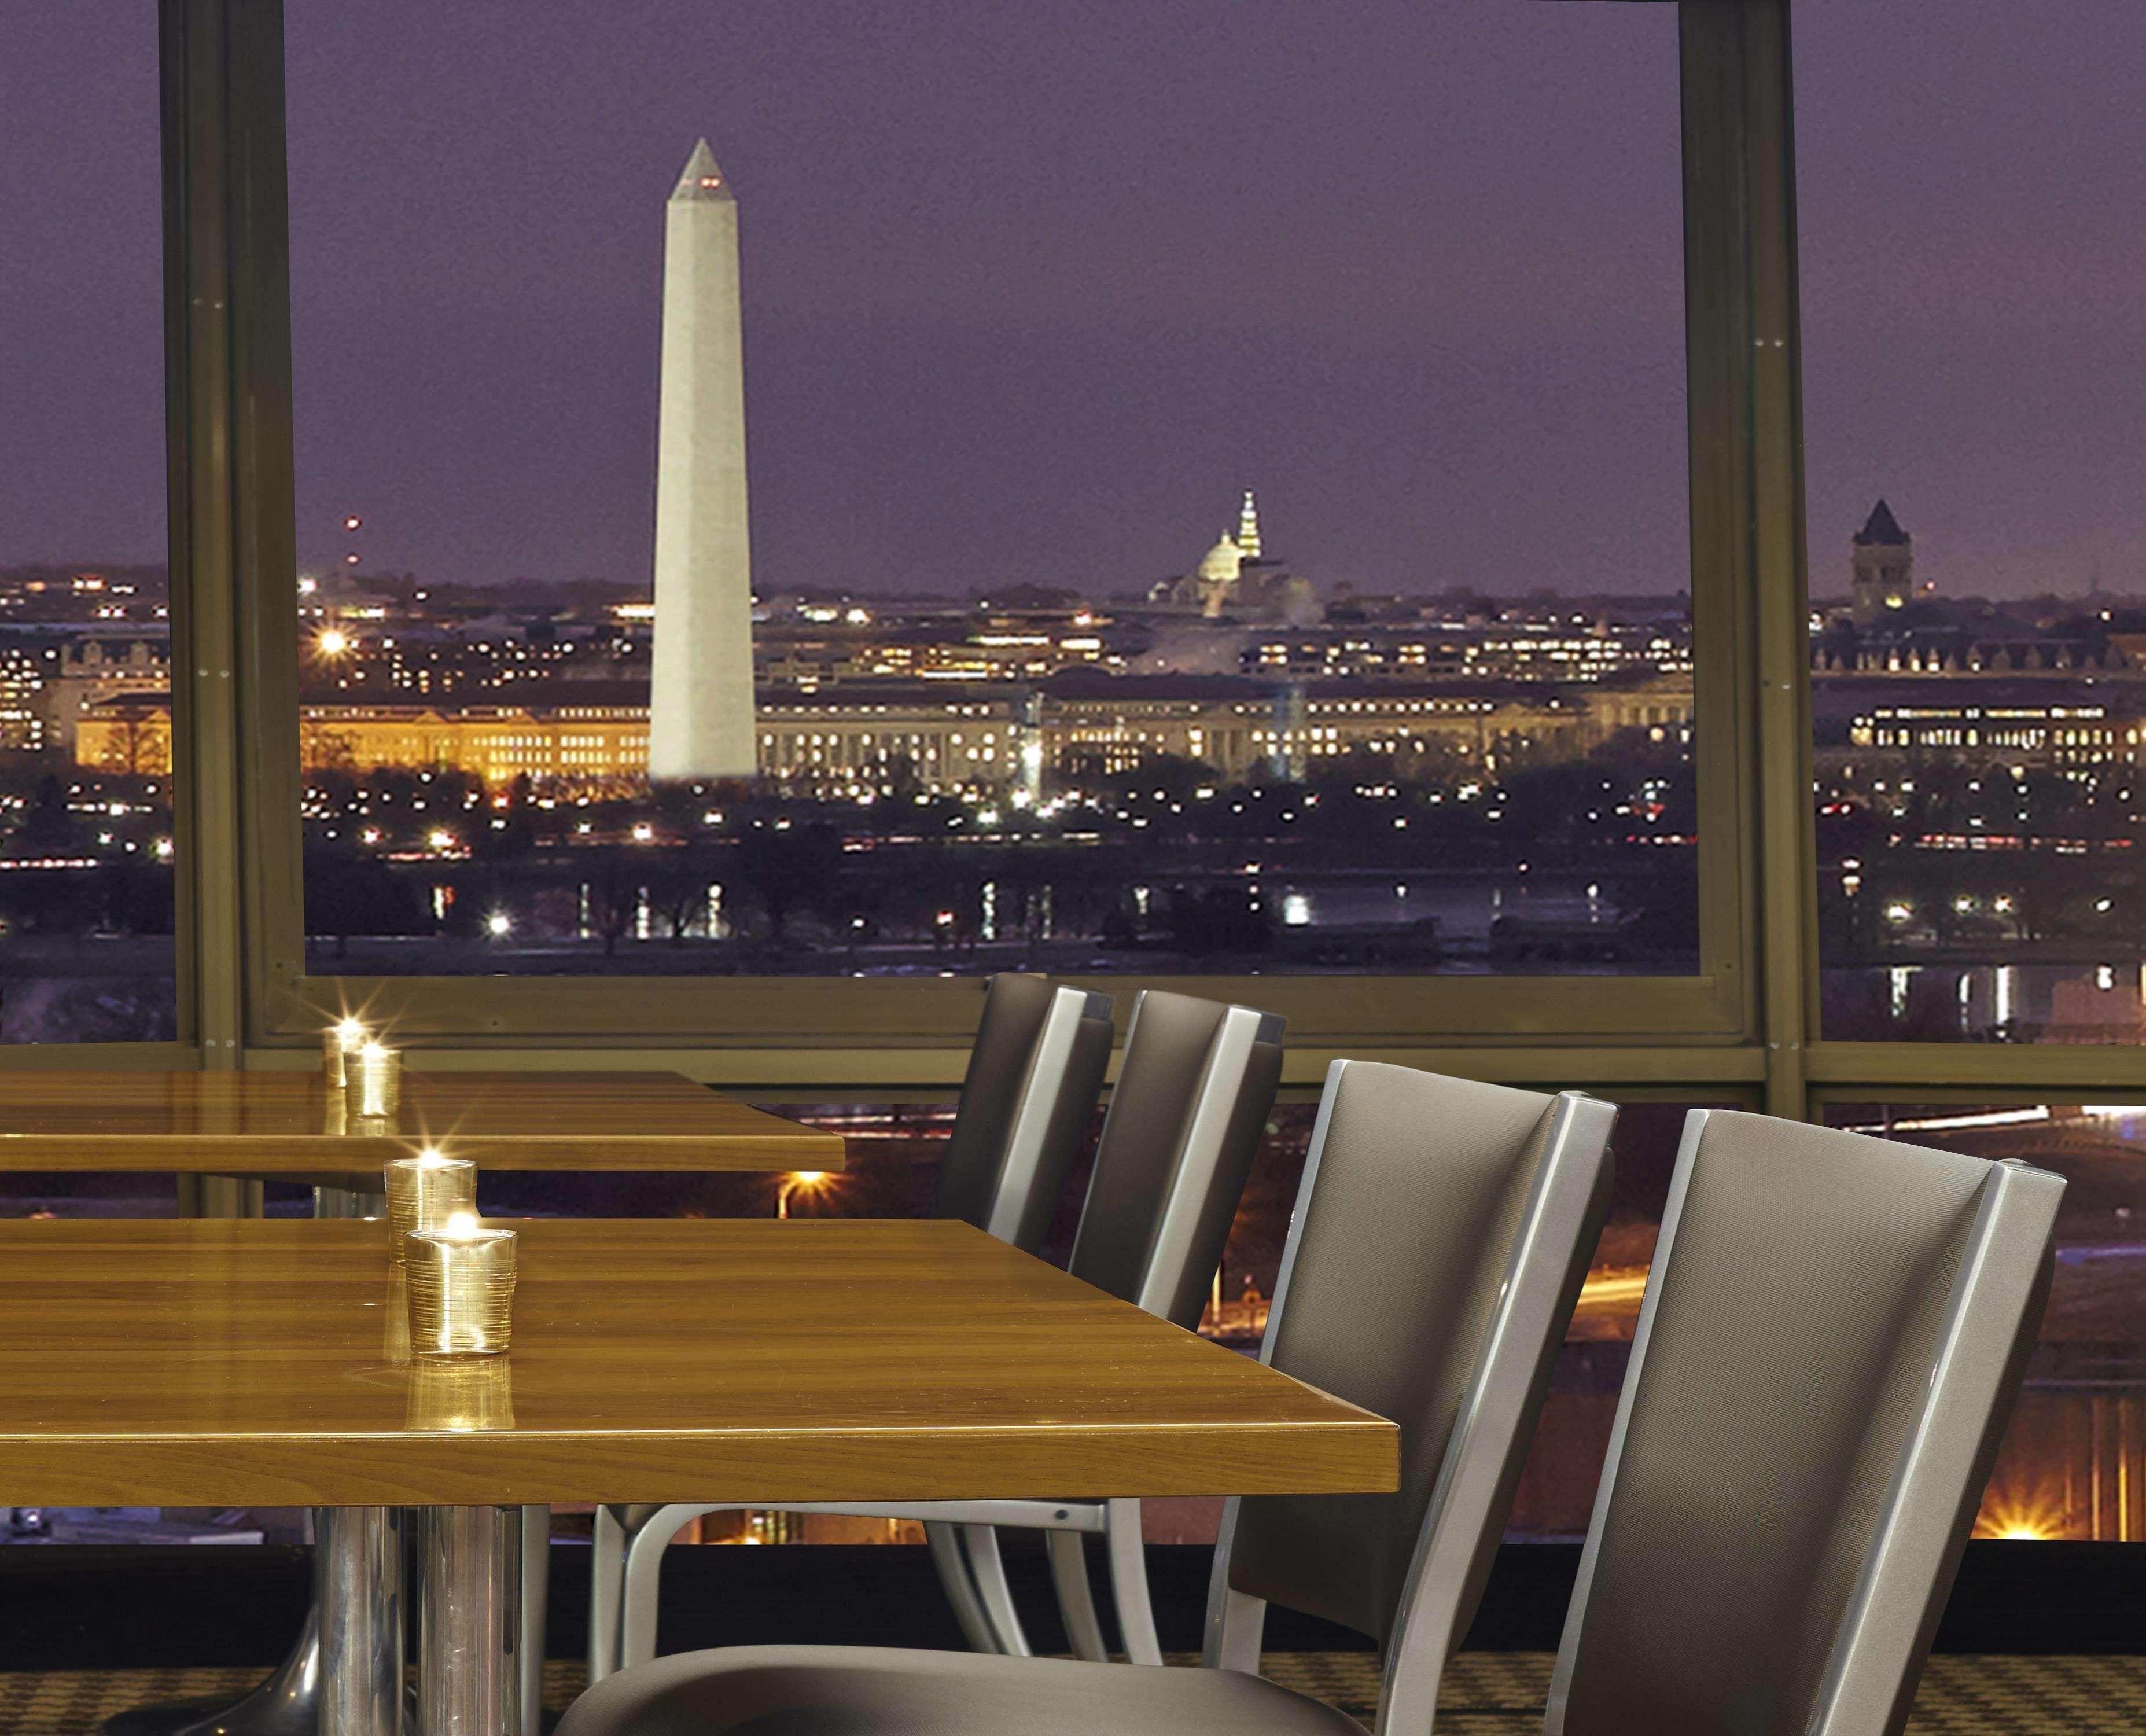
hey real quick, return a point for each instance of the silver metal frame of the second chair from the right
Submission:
(1486, 1432)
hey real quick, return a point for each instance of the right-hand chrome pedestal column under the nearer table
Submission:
(471, 1643)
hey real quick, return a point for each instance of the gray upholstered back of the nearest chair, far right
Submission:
(1825, 1364)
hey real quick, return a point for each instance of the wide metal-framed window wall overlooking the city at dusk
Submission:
(1308, 516)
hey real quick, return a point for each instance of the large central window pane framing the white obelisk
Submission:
(1194, 525)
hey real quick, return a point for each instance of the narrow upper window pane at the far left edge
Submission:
(85, 632)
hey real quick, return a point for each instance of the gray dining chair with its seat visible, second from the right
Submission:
(1441, 1237)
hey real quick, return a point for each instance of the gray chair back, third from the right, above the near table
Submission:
(1177, 1145)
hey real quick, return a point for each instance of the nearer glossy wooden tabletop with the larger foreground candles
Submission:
(254, 1364)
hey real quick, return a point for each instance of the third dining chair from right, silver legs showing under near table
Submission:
(1184, 1126)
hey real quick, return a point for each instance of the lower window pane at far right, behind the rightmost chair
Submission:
(2070, 1462)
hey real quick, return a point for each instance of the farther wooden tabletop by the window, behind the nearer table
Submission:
(289, 1123)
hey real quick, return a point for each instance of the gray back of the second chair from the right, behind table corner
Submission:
(1441, 1239)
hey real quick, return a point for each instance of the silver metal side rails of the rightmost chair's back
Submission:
(1915, 1546)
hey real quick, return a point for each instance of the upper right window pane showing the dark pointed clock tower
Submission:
(1975, 377)
